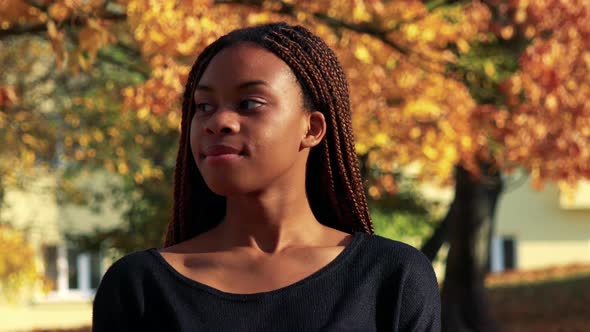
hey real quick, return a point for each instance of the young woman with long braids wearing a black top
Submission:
(270, 229)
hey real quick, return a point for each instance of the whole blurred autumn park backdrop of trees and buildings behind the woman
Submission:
(471, 119)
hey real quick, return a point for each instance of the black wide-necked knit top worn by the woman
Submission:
(374, 284)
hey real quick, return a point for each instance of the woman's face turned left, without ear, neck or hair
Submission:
(247, 131)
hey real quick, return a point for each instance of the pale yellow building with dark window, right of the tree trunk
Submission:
(537, 229)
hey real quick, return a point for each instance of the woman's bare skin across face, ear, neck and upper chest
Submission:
(250, 138)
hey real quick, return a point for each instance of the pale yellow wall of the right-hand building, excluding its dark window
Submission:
(546, 234)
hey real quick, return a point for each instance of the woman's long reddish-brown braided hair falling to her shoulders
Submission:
(333, 180)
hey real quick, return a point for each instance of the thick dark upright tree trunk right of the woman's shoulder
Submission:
(464, 305)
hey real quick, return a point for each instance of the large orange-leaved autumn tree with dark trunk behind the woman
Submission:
(462, 90)
